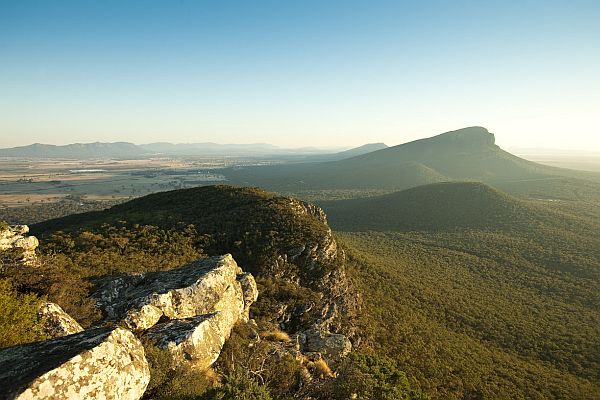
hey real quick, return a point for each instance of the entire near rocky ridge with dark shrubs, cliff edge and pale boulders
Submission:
(171, 269)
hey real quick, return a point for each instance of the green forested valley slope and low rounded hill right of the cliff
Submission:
(487, 295)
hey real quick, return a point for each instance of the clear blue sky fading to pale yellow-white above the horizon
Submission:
(296, 73)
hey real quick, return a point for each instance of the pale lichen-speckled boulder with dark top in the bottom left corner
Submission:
(102, 363)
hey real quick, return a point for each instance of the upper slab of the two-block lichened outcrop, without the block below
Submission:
(198, 288)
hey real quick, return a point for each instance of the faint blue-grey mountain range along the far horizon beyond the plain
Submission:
(131, 150)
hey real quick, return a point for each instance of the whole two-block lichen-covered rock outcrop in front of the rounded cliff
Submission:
(189, 311)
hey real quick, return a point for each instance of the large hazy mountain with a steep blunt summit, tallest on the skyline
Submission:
(468, 154)
